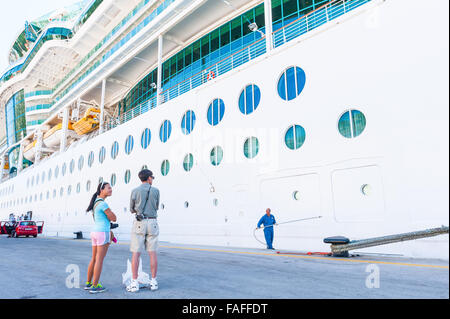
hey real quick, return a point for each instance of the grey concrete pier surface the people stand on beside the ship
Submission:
(38, 268)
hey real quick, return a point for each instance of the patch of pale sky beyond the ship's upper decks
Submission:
(13, 15)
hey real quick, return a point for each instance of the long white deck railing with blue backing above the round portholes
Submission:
(310, 21)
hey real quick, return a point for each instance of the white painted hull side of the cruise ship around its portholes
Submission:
(383, 60)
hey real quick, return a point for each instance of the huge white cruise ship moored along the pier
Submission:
(336, 109)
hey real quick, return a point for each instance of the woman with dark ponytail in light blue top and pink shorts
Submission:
(101, 235)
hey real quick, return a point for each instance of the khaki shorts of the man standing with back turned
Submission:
(144, 234)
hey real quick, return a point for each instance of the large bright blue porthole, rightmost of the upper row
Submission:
(291, 83)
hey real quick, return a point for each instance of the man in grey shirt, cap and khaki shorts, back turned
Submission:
(144, 202)
